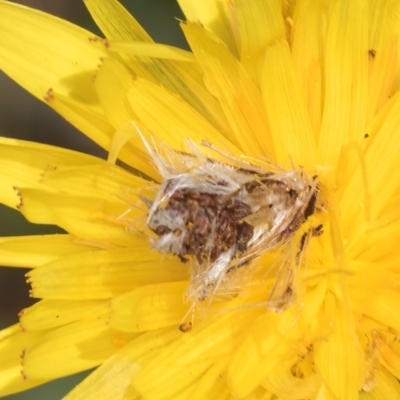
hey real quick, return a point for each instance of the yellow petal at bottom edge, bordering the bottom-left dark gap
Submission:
(112, 379)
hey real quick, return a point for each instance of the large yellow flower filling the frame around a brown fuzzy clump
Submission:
(311, 85)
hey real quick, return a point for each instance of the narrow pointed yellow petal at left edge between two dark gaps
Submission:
(34, 251)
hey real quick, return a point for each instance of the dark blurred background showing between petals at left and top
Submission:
(24, 117)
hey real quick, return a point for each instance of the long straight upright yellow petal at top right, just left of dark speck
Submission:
(346, 79)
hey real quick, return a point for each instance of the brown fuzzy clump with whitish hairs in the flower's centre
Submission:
(220, 216)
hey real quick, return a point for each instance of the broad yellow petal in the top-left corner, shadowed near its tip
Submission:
(40, 51)
